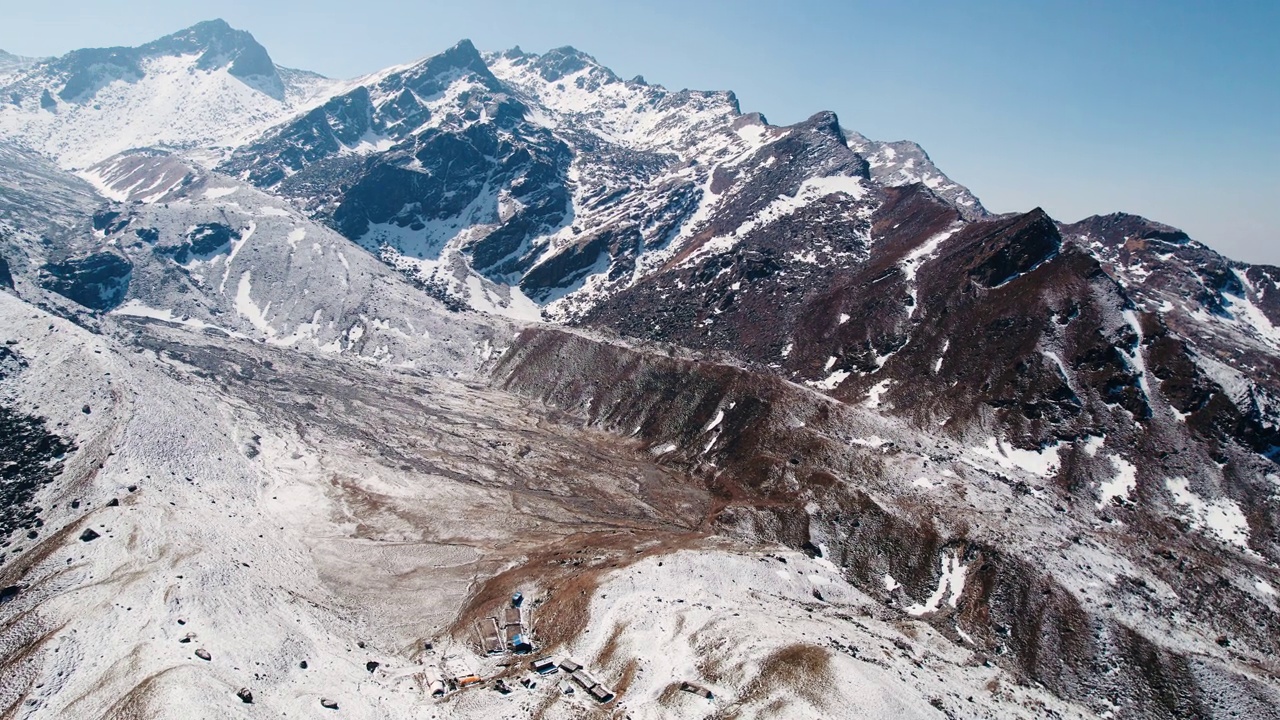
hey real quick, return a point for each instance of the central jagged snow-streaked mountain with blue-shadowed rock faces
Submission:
(575, 184)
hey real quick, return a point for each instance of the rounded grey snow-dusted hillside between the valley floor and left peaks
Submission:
(211, 253)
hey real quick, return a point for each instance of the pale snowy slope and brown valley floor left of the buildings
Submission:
(298, 509)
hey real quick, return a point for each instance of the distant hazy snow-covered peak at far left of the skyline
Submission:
(205, 89)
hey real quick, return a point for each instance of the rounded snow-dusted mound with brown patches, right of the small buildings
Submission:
(772, 635)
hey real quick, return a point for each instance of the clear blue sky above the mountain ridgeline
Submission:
(1164, 108)
